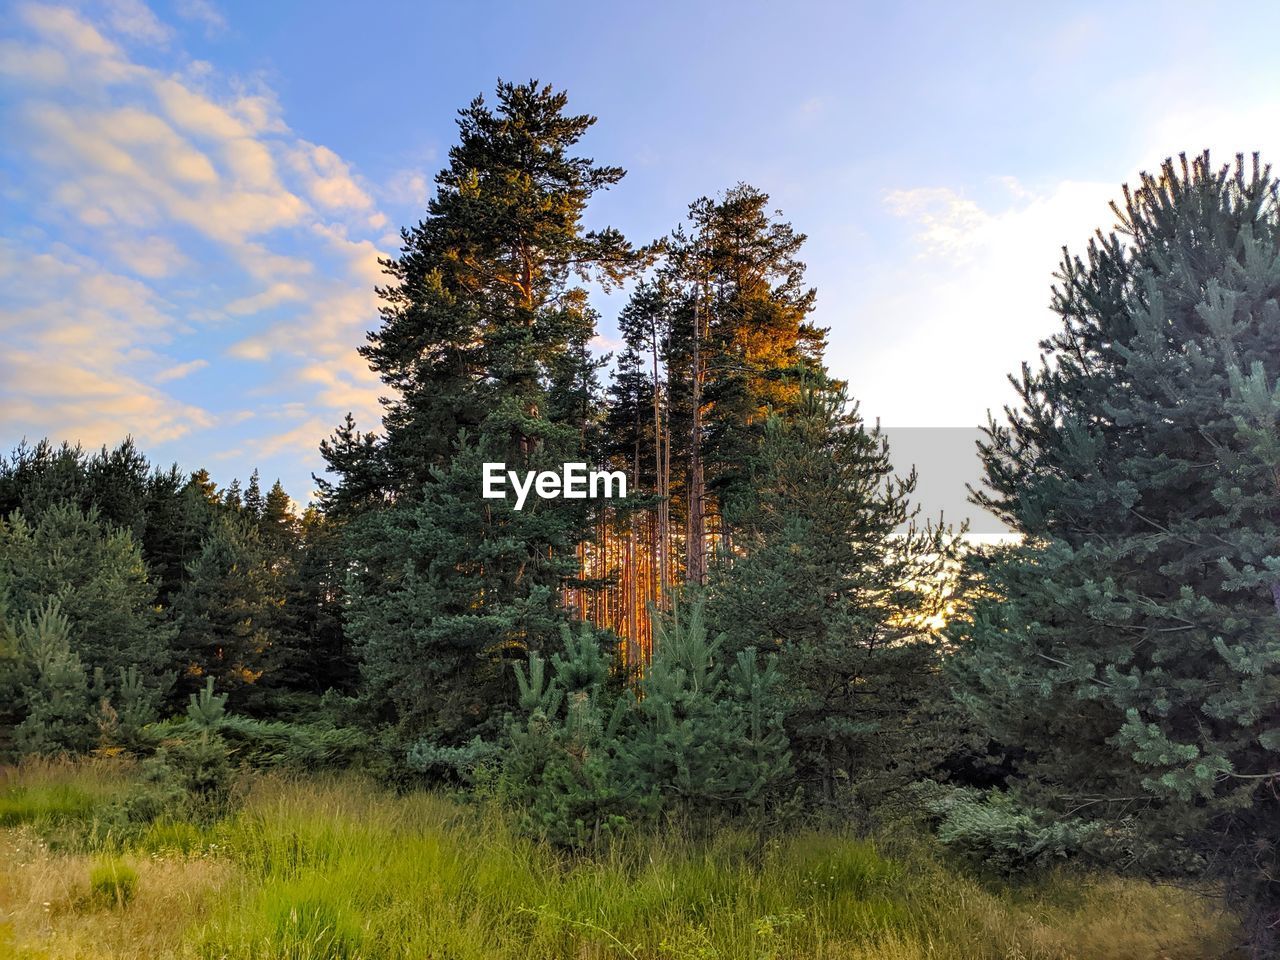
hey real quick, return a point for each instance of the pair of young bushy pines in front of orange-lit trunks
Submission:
(697, 739)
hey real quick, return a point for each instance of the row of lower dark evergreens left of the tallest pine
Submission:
(126, 588)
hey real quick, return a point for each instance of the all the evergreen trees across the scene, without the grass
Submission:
(751, 634)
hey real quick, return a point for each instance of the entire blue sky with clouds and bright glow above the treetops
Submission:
(194, 195)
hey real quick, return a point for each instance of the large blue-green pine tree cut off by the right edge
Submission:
(1132, 642)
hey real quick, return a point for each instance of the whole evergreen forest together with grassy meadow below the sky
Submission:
(761, 707)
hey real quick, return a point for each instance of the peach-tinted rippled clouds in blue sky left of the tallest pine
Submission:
(189, 190)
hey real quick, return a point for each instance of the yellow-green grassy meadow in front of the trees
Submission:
(342, 871)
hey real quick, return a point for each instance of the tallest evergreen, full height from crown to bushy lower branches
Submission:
(483, 342)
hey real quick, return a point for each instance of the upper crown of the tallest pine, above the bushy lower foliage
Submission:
(481, 307)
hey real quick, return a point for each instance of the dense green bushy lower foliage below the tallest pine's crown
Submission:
(454, 591)
